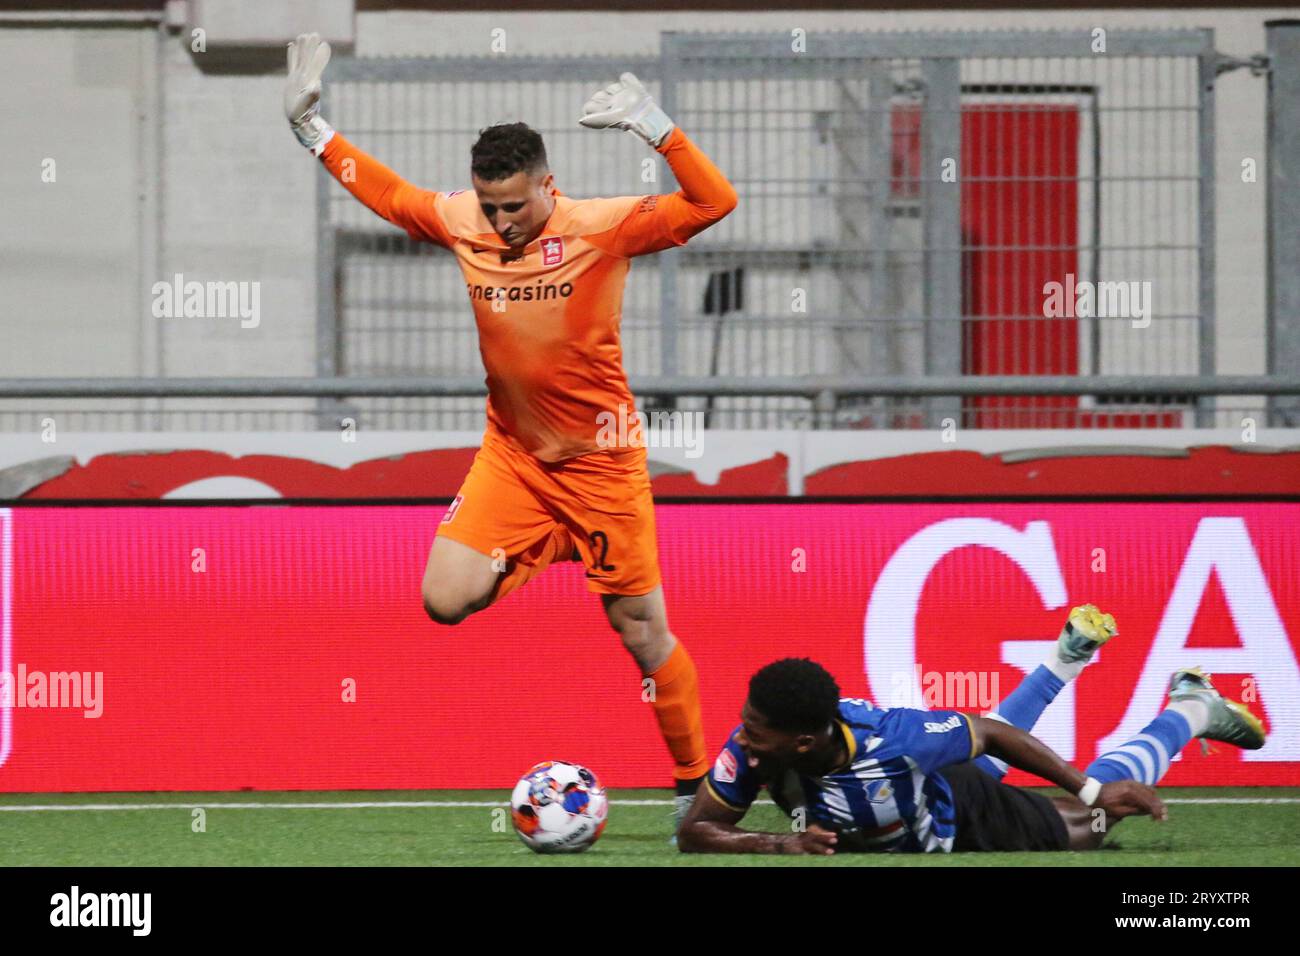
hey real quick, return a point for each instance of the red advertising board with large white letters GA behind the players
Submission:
(237, 673)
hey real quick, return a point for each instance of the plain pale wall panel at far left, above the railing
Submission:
(73, 237)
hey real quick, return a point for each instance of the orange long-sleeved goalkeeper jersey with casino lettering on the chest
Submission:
(549, 321)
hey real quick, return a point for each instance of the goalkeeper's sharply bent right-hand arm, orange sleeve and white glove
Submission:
(705, 196)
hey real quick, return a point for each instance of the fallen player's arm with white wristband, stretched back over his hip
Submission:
(1012, 745)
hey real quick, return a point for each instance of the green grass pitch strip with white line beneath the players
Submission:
(1198, 834)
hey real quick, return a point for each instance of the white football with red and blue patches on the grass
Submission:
(558, 808)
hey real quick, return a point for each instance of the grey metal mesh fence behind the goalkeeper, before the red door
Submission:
(913, 206)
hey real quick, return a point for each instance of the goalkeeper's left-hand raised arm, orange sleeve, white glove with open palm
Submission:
(379, 188)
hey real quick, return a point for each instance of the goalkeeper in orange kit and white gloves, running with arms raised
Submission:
(545, 278)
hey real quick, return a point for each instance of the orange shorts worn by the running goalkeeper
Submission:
(512, 501)
